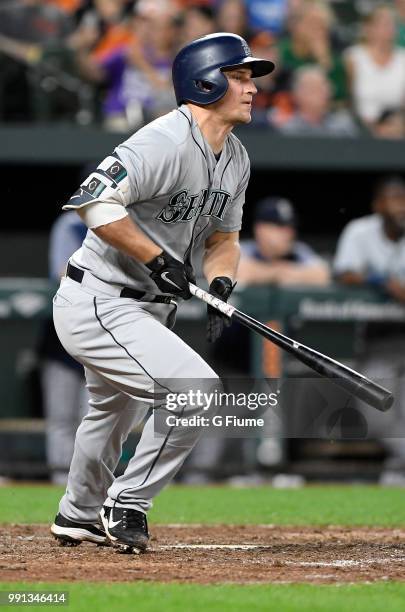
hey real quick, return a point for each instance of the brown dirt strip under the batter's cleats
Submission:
(212, 554)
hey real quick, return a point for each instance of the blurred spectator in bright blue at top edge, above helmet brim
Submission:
(267, 15)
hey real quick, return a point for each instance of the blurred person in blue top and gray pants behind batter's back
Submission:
(63, 384)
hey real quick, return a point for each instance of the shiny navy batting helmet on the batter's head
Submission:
(198, 67)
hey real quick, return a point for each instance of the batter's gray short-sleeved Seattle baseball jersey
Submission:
(173, 188)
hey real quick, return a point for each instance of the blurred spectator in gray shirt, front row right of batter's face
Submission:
(313, 116)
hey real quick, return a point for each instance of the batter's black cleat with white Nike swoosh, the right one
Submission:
(127, 529)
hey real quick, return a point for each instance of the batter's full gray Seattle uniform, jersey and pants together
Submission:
(178, 193)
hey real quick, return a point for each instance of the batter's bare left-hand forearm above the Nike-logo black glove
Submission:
(125, 236)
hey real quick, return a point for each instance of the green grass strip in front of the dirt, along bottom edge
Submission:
(147, 597)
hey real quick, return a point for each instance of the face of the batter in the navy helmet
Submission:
(236, 105)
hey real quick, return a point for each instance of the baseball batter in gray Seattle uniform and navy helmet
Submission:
(169, 196)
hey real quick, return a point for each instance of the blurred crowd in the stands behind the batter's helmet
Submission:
(340, 64)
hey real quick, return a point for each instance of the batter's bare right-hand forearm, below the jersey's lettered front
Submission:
(221, 259)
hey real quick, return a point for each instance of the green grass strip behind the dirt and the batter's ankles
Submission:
(315, 505)
